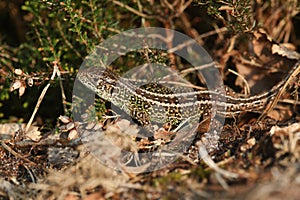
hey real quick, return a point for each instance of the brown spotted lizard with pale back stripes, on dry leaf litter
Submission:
(146, 104)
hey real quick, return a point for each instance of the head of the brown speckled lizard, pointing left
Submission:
(100, 80)
